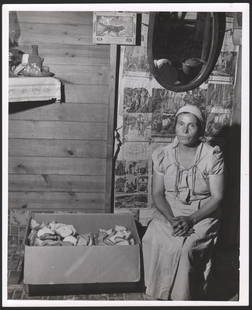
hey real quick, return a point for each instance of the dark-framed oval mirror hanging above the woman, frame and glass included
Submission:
(183, 47)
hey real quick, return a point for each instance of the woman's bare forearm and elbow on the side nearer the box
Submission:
(159, 196)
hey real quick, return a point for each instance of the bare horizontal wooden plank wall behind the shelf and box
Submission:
(58, 153)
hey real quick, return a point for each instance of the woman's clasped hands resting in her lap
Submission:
(182, 226)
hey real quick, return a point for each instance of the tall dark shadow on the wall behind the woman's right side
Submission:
(224, 278)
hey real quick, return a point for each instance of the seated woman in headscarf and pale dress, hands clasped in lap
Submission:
(187, 192)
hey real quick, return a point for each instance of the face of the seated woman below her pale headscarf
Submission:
(187, 129)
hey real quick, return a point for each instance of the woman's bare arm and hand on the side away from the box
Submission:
(216, 183)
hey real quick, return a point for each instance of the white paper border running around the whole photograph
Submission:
(244, 195)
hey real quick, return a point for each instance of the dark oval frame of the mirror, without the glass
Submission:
(218, 32)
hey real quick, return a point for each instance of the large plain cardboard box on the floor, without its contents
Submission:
(92, 265)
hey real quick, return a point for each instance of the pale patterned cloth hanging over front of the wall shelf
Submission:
(23, 89)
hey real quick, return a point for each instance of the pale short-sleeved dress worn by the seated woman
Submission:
(172, 264)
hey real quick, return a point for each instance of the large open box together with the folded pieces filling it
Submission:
(77, 248)
